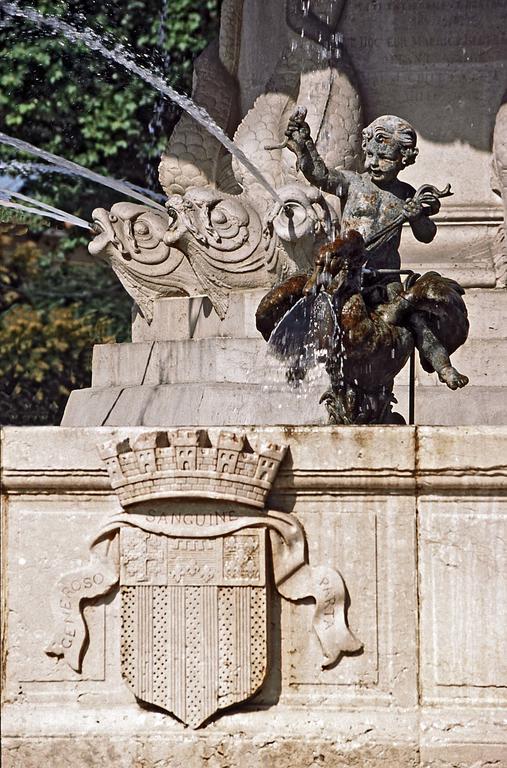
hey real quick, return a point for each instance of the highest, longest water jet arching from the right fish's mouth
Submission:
(121, 56)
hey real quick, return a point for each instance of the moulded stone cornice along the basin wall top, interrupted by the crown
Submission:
(322, 461)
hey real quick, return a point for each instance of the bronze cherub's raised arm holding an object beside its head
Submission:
(309, 162)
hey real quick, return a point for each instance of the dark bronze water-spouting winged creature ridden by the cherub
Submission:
(329, 317)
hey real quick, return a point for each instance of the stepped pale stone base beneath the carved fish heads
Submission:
(190, 368)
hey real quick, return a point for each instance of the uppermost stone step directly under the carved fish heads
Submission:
(195, 318)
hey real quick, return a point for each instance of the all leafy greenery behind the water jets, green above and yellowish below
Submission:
(54, 303)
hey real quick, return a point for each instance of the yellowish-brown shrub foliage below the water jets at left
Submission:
(46, 333)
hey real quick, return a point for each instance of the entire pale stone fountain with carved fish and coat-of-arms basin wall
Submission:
(201, 571)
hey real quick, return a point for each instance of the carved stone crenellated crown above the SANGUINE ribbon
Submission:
(182, 462)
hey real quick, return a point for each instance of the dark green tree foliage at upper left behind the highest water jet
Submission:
(67, 99)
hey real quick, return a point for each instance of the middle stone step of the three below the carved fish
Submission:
(248, 361)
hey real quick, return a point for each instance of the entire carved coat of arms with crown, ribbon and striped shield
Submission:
(192, 573)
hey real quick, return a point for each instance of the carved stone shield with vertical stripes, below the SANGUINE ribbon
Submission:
(193, 619)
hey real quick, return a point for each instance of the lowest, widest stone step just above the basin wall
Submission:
(226, 403)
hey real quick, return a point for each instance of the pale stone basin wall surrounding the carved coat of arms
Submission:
(414, 519)
